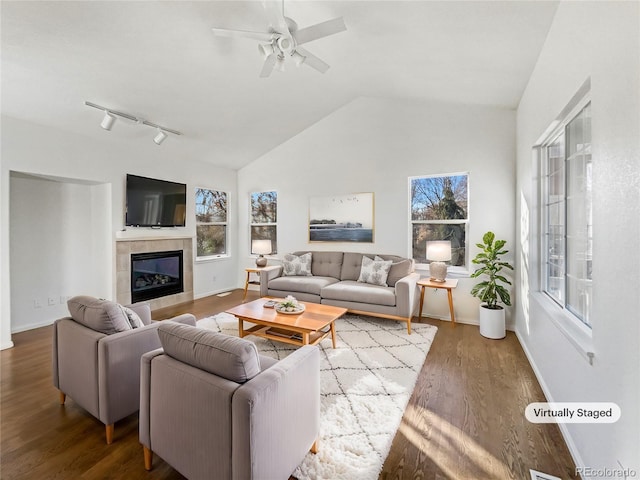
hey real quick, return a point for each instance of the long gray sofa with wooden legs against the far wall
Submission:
(334, 281)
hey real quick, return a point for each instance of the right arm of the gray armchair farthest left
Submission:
(119, 371)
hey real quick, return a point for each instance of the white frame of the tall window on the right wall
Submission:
(570, 322)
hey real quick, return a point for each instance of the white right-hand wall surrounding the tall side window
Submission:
(600, 41)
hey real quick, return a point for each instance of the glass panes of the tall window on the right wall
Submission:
(567, 215)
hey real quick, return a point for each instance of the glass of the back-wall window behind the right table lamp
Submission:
(439, 211)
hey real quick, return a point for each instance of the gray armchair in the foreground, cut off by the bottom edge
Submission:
(212, 407)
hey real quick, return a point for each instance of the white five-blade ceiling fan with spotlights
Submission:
(283, 40)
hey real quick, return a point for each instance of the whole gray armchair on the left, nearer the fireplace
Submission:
(97, 365)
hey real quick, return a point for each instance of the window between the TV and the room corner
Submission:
(211, 223)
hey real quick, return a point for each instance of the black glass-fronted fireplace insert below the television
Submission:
(156, 274)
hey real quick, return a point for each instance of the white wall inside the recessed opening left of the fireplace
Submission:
(57, 237)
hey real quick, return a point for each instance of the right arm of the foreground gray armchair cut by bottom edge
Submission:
(282, 402)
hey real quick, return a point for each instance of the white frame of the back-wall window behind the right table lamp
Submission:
(460, 270)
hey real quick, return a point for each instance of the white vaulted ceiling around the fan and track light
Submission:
(160, 61)
